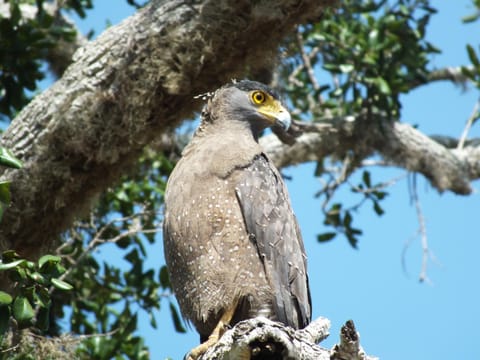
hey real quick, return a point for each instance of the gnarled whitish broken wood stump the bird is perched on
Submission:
(260, 338)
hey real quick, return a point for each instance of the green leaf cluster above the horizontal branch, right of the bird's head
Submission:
(373, 51)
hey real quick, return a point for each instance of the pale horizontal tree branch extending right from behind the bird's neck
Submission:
(400, 145)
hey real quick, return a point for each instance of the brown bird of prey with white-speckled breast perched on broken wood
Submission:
(232, 243)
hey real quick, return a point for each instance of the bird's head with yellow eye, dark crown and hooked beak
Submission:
(250, 102)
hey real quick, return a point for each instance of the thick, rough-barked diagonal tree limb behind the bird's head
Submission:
(121, 92)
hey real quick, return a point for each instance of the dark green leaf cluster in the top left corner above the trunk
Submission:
(25, 42)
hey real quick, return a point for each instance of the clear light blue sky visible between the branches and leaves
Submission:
(397, 316)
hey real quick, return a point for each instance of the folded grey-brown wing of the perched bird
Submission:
(273, 228)
